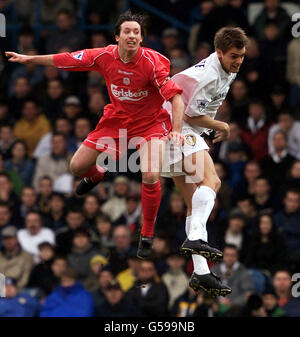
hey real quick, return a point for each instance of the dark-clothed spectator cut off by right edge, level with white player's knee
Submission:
(287, 220)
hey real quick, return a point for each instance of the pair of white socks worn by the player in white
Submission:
(203, 201)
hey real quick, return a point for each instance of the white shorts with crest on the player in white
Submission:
(193, 142)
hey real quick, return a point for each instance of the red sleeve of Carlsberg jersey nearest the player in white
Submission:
(161, 77)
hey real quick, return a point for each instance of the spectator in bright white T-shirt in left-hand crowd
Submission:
(34, 234)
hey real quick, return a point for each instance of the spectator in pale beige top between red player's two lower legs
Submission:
(116, 205)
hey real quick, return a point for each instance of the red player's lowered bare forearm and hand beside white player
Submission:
(177, 112)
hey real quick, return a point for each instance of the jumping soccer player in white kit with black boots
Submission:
(205, 86)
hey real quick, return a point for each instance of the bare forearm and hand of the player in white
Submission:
(221, 128)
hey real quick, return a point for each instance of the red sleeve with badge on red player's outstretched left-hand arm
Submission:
(83, 60)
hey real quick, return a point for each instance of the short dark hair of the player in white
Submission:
(228, 37)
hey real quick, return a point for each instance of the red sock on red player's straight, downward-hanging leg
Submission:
(151, 197)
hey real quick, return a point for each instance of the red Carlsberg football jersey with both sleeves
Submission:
(137, 89)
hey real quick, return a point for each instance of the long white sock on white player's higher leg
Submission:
(203, 201)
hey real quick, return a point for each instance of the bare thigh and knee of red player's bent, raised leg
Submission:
(83, 159)
